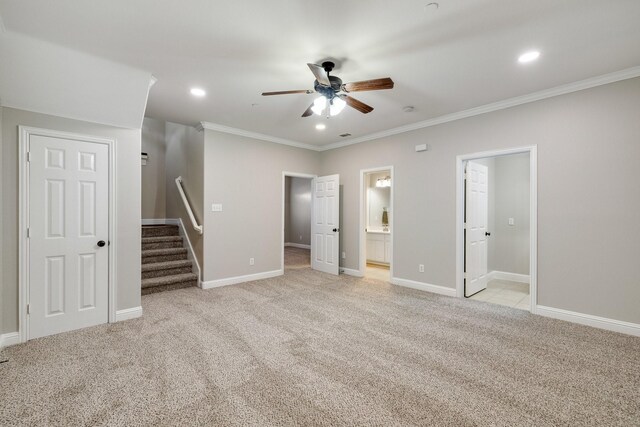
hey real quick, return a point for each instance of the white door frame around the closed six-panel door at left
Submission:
(25, 133)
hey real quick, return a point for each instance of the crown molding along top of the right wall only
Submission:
(628, 73)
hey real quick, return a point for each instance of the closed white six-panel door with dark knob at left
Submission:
(68, 234)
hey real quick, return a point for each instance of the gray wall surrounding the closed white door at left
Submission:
(128, 205)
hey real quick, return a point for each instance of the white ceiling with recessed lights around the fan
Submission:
(459, 56)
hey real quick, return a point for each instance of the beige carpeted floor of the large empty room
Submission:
(312, 349)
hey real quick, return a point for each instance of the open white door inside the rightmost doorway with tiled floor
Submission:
(476, 219)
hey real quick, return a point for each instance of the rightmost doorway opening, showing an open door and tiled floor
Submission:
(496, 227)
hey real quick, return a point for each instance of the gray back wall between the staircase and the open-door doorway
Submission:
(245, 175)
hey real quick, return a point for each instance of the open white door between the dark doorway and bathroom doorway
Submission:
(325, 225)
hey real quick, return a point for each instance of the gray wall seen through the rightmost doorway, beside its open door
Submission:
(511, 198)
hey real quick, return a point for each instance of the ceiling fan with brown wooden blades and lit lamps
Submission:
(331, 87)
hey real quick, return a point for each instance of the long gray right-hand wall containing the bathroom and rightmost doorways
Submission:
(588, 197)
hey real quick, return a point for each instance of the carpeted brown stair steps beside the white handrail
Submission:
(164, 260)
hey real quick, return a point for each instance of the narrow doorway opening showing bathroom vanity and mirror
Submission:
(376, 223)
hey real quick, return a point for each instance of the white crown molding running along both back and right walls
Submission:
(628, 73)
